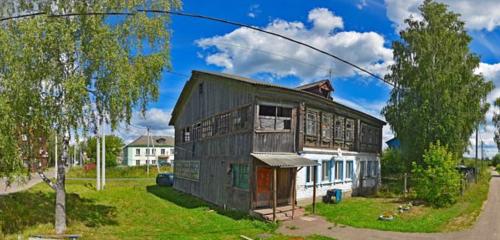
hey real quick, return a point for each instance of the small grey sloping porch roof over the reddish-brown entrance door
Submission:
(284, 160)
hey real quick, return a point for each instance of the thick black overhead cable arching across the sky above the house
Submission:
(184, 14)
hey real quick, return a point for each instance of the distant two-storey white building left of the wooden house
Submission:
(141, 151)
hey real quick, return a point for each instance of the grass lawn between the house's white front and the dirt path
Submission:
(363, 212)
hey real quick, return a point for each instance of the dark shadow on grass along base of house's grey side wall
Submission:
(188, 201)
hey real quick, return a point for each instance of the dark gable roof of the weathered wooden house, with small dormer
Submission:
(189, 85)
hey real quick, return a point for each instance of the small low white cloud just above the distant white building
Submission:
(156, 119)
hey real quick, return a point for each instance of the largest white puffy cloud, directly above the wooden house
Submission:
(246, 52)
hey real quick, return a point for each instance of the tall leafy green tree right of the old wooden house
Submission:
(436, 95)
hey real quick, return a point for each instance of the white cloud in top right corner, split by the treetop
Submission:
(477, 15)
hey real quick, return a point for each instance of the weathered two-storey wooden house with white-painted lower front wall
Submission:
(250, 145)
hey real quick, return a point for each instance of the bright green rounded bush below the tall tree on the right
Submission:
(437, 180)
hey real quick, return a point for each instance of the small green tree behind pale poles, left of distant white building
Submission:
(114, 146)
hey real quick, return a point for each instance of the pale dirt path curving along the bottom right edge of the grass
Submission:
(486, 228)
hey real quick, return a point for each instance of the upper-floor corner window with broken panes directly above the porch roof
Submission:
(275, 118)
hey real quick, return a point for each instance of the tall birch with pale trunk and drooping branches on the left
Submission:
(69, 73)
